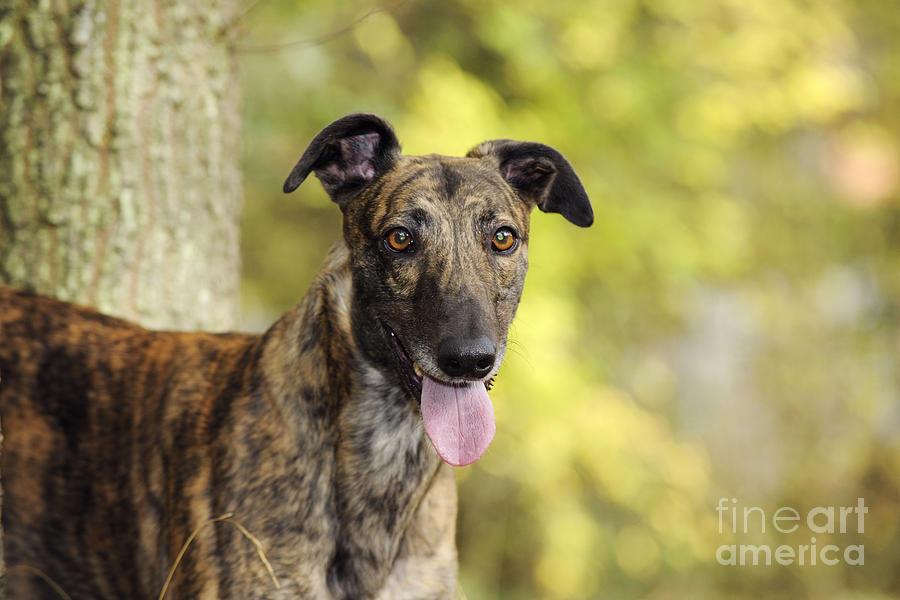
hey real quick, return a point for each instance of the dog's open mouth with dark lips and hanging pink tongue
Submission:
(458, 417)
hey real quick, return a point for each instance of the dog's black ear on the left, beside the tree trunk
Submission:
(347, 156)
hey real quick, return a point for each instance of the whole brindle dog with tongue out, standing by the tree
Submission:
(328, 438)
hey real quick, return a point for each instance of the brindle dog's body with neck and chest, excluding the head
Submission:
(120, 441)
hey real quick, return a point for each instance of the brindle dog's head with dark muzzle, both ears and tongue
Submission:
(439, 250)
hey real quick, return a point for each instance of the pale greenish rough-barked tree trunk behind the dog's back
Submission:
(120, 181)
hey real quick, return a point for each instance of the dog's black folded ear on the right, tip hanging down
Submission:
(541, 176)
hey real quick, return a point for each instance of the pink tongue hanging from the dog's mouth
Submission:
(459, 420)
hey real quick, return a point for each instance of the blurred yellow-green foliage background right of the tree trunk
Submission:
(729, 327)
